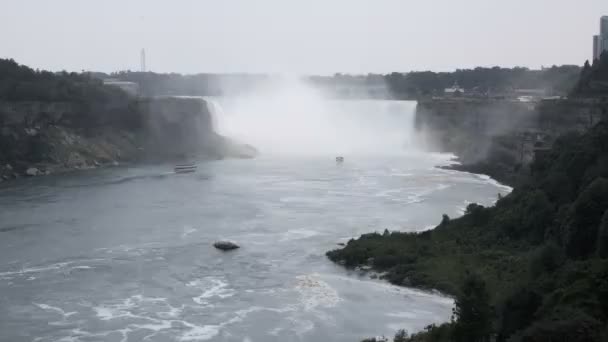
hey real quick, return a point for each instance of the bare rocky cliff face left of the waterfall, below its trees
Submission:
(47, 137)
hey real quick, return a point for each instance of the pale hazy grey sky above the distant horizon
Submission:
(304, 36)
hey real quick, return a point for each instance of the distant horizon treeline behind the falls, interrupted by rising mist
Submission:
(557, 80)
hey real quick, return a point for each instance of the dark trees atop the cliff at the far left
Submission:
(21, 83)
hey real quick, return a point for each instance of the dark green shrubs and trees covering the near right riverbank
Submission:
(534, 266)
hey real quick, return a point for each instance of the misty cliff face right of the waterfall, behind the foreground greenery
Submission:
(501, 137)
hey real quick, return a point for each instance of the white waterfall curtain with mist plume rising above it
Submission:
(293, 118)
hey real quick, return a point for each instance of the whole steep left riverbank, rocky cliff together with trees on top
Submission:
(56, 122)
